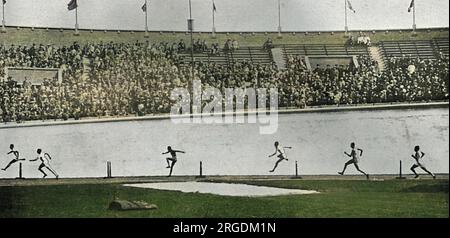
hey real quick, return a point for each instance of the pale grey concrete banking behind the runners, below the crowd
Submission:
(319, 140)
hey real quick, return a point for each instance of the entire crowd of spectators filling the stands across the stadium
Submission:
(124, 79)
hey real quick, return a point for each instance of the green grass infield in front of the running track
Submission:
(337, 199)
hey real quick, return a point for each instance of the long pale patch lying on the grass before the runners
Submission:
(223, 189)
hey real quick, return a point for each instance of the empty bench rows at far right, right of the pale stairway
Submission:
(424, 49)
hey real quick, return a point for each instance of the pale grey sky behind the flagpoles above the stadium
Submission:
(231, 15)
